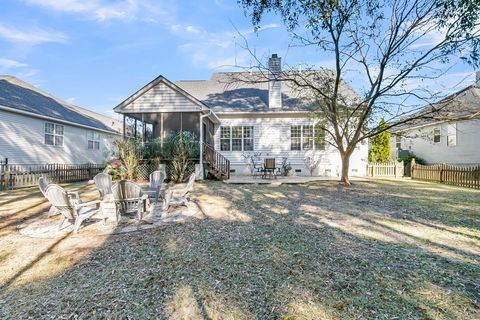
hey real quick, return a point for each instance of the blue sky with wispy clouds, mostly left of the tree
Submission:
(95, 53)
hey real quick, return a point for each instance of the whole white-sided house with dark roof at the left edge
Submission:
(37, 128)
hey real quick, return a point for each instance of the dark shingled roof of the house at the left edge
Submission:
(19, 96)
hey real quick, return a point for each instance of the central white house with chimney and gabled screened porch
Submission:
(237, 118)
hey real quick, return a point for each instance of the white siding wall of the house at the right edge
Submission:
(467, 150)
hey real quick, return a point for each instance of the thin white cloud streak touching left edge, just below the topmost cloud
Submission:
(33, 35)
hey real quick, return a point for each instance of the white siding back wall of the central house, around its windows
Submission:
(272, 139)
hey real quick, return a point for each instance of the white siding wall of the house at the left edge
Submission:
(22, 141)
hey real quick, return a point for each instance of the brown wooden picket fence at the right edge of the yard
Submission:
(462, 176)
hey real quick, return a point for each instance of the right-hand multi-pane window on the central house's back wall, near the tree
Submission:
(306, 138)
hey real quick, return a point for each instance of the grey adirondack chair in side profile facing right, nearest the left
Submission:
(59, 198)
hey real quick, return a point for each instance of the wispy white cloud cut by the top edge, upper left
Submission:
(103, 11)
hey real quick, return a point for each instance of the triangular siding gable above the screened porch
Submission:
(161, 98)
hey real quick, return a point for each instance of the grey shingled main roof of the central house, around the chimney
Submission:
(225, 93)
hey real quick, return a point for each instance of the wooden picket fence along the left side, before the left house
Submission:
(26, 175)
